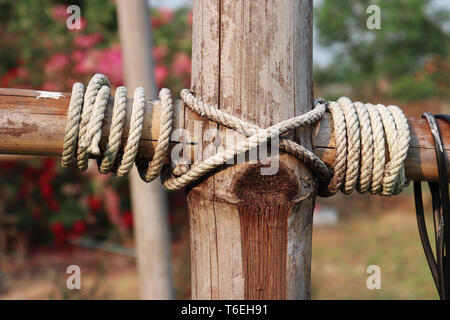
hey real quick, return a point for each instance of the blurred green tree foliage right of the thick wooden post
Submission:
(411, 36)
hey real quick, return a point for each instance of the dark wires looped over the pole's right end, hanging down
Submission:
(439, 265)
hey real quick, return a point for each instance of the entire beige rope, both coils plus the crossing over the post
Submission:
(361, 132)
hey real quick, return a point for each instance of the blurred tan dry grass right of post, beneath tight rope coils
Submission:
(377, 231)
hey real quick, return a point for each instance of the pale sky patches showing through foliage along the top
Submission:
(321, 55)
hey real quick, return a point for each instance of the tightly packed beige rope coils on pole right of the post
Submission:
(360, 144)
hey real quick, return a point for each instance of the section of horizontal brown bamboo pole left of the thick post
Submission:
(35, 126)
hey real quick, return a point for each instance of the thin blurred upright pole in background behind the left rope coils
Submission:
(148, 199)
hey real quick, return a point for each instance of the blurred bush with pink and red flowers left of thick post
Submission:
(38, 52)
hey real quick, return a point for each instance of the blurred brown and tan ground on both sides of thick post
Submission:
(376, 231)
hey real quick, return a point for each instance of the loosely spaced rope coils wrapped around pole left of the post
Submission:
(84, 122)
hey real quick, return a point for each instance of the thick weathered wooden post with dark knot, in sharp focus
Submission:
(251, 233)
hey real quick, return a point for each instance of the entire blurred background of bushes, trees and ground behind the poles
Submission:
(51, 218)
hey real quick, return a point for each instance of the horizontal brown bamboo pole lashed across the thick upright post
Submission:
(33, 123)
